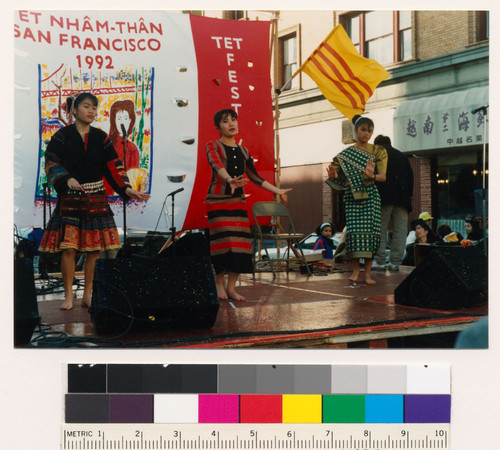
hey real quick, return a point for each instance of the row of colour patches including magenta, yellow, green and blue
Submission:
(190, 408)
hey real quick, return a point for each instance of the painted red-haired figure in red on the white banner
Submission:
(122, 113)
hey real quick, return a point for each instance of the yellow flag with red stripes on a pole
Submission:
(345, 78)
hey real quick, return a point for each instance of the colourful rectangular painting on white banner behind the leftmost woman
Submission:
(124, 99)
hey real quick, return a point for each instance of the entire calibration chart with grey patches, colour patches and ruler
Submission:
(205, 406)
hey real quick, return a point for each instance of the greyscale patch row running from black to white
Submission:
(258, 379)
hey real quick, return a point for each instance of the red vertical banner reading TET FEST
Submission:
(233, 72)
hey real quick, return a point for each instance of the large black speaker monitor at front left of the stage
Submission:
(167, 293)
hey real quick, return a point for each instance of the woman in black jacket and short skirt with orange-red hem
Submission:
(77, 159)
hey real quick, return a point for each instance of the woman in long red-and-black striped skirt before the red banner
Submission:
(230, 240)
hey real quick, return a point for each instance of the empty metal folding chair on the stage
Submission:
(275, 210)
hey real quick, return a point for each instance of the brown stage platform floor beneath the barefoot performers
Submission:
(291, 311)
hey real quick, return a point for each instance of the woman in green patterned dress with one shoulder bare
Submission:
(355, 170)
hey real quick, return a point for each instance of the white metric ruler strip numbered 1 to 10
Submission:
(254, 436)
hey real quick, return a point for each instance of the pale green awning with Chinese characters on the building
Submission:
(441, 121)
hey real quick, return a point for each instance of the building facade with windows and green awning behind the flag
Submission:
(438, 63)
